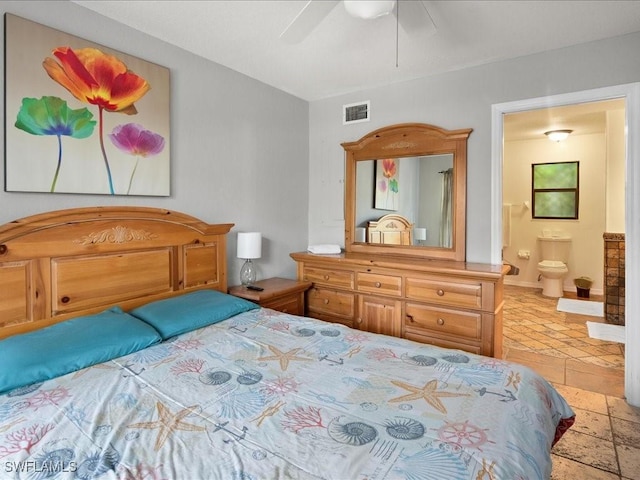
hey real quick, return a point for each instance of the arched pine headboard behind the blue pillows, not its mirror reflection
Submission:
(62, 264)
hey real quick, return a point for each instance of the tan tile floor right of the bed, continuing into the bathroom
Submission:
(604, 442)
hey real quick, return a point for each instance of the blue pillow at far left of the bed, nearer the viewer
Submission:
(71, 345)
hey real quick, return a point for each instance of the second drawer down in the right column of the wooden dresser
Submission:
(442, 321)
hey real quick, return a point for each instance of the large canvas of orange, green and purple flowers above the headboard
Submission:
(82, 118)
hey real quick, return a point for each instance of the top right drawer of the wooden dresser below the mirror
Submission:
(435, 290)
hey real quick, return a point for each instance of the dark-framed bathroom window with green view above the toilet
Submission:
(554, 190)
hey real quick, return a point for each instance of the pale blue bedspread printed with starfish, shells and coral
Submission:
(267, 395)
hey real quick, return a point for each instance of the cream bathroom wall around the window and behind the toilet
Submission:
(587, 245)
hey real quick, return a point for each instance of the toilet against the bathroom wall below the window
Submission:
(554, 253)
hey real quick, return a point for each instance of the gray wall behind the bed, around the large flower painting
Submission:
(239, 147)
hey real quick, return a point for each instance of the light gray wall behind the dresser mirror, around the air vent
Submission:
(461, 99)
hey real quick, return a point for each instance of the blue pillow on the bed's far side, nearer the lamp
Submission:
(191, 311)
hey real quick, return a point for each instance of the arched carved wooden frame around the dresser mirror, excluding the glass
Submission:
(410, 140)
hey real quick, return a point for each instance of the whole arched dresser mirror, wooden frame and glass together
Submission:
(407, 184)
